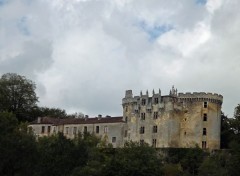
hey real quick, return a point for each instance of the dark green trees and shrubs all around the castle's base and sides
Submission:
(22, 154)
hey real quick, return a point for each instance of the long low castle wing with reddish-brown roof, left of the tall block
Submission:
(107, 128)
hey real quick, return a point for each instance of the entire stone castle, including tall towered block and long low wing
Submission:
(177, 120)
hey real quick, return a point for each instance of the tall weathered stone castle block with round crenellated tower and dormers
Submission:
(176, 120)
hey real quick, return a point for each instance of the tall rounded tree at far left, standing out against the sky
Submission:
(17, 95)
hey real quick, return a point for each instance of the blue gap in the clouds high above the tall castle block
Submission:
(155, 31)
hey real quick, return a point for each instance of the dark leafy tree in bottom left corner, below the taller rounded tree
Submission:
(18, 147)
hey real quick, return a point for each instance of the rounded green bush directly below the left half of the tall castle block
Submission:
(134, 159)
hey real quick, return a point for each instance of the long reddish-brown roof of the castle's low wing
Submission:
(94, 120)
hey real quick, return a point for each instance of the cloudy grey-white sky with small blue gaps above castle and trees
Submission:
(84, 54)
